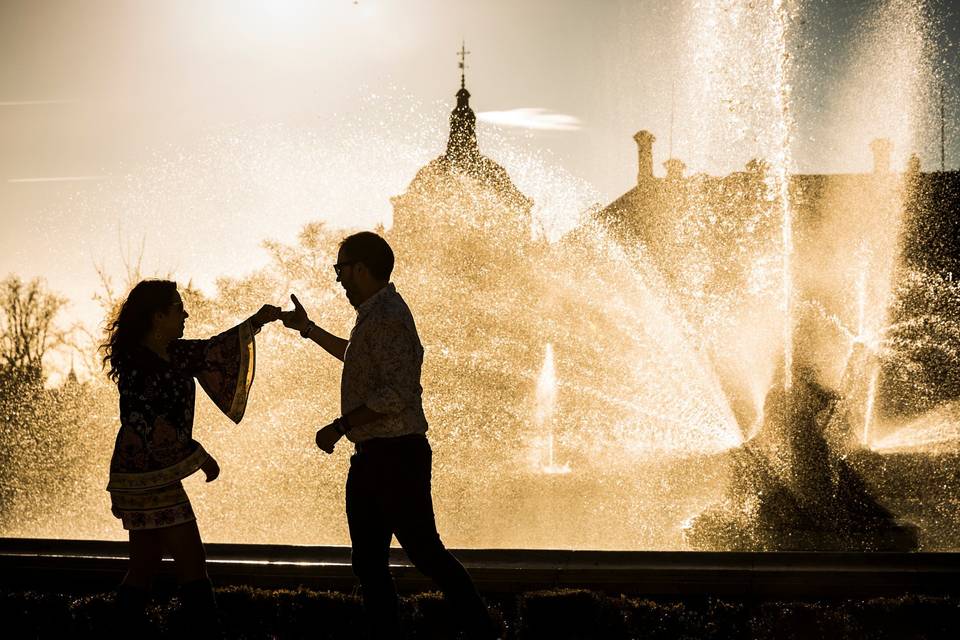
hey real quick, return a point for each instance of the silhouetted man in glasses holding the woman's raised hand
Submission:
(388, 487)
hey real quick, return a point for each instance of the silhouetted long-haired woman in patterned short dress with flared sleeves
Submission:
(154, 370)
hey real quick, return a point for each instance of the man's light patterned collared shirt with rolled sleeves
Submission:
(381, 368)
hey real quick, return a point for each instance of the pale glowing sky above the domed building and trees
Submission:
(201, 128)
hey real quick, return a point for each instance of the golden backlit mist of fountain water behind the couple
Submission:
(582, 392)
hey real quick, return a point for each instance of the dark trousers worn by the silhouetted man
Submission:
(388, 493)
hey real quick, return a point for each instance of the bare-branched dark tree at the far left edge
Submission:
(27, 312)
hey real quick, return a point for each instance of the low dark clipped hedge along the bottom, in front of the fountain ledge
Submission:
(557, 614)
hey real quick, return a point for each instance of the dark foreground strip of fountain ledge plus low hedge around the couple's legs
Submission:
(62, 589)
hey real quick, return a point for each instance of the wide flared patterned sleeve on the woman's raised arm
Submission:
(223, 365)
